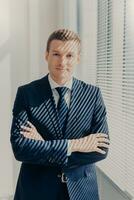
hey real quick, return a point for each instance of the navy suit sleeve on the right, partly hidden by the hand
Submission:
(99, 125)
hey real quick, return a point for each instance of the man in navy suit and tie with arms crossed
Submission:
(59, 129)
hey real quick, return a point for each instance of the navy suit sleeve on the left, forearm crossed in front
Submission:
(51, 152)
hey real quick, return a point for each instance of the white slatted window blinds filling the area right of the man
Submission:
(115, 77)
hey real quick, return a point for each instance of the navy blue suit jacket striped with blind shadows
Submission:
(42, 160)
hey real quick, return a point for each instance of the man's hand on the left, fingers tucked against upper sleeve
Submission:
(31, 132)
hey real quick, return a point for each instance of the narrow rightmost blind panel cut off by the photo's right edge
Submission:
(128, 91)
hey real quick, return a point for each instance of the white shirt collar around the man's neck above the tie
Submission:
(53, 84)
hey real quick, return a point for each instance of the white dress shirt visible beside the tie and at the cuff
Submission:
(67, 97)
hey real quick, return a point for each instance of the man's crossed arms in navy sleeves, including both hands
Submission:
(29, 146)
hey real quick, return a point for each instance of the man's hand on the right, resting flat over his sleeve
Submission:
(90, 143)
